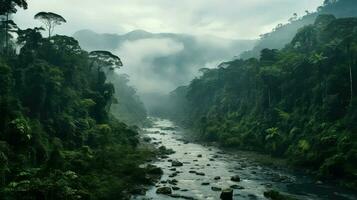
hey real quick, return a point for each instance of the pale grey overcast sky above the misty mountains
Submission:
(243, 19)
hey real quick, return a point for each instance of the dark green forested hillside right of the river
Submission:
(299, 102)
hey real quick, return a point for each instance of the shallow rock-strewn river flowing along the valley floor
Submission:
(202, 165)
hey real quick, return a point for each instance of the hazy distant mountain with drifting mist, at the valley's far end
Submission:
(165, 60)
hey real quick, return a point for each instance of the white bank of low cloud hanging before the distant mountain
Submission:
(139, 56)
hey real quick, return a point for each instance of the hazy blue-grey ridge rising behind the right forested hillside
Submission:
(283, 34)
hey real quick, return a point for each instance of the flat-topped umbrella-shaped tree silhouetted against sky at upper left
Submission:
(50, 20)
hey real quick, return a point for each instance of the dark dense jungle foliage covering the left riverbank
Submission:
(57, 138)
